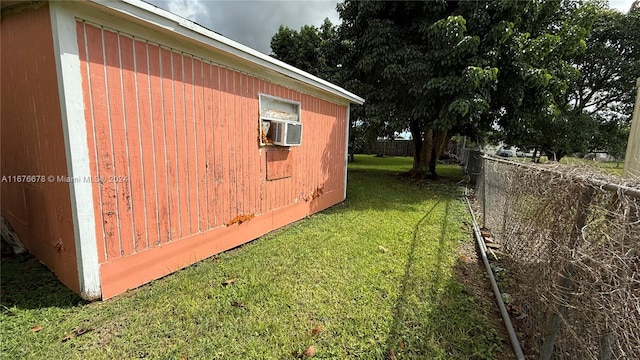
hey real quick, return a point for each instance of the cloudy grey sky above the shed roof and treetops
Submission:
(254, 22)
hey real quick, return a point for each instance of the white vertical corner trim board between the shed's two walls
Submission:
(63, 27)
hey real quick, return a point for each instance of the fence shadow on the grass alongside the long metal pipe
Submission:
(435, 316)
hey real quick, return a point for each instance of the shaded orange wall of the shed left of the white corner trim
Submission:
(32, 143)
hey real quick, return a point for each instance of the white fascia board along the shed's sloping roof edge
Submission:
(167, 20)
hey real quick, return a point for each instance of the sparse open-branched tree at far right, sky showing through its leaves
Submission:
(605, 90)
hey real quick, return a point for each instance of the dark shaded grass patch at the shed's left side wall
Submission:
(27, 284)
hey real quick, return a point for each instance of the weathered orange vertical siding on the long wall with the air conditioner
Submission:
(174, 138)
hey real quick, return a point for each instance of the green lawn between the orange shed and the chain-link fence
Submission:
(374, 275)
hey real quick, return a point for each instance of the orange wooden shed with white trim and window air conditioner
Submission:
(135, 142)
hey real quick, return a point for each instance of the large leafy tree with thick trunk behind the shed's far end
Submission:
(436, 66)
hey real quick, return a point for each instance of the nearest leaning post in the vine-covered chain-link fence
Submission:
(566, 283)
